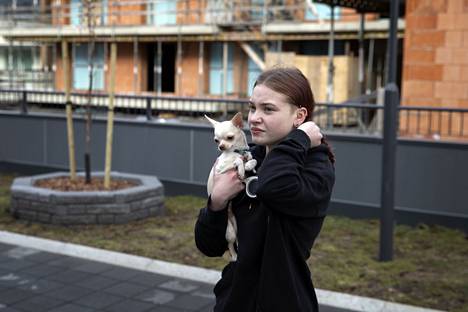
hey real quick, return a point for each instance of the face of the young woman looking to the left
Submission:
(271, 117)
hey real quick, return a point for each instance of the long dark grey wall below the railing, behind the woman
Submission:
(430, 186)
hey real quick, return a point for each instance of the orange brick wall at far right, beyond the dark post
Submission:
(435, 61)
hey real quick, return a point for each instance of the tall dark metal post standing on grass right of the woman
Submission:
(392, 101)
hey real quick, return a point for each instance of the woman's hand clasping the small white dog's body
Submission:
(225, 187)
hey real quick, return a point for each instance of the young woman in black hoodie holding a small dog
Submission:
(277, 228)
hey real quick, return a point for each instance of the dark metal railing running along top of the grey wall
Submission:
(348, 118)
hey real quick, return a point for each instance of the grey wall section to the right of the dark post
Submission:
(432, 177)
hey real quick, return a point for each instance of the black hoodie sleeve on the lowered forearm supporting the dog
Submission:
(210, 231)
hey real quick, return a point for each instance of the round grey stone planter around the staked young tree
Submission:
(32, 203)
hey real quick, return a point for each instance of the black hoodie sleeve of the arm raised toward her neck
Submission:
(295, 179)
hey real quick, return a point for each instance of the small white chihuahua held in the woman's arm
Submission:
(231, 141)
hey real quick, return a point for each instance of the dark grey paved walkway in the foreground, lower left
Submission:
(33, 281)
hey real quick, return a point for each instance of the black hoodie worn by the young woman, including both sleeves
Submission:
(276, 230)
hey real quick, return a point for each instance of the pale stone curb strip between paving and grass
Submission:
(325, 297)
